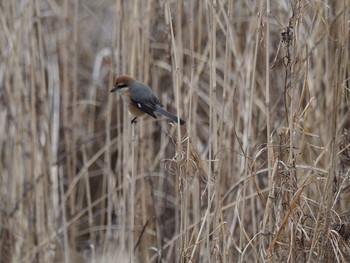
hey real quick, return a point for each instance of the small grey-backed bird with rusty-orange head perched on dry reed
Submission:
(140, 99)
